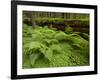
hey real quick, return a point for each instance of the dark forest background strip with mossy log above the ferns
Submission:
(78, 21)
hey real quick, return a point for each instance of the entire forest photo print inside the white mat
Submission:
(54, 39)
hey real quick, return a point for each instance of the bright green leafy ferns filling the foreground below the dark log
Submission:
(46, 47)
